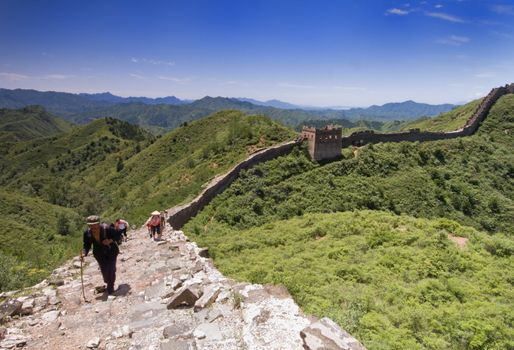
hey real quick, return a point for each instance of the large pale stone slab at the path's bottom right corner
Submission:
(325, 334)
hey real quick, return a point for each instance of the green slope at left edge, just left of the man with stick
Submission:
(30, 243)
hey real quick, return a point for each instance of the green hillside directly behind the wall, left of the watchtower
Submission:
(176, 167)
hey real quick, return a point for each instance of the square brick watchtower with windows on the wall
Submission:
(324, 143)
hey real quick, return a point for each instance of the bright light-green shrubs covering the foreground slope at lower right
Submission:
(394, 282)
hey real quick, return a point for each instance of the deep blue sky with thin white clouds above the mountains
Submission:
(324, 53)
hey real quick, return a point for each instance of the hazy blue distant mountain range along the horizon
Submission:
(166, 113)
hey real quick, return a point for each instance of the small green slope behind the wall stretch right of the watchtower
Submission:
(449, 121)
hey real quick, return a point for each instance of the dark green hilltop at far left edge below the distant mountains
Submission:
(29, 123)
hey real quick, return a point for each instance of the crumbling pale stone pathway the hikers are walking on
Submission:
(170, 296)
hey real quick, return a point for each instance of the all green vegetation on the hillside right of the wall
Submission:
(393, 280)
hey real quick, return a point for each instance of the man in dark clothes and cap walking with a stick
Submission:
(105, 250)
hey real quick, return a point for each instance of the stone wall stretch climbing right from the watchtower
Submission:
(364, 137)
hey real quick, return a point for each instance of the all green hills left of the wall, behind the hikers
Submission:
(112, 168)
